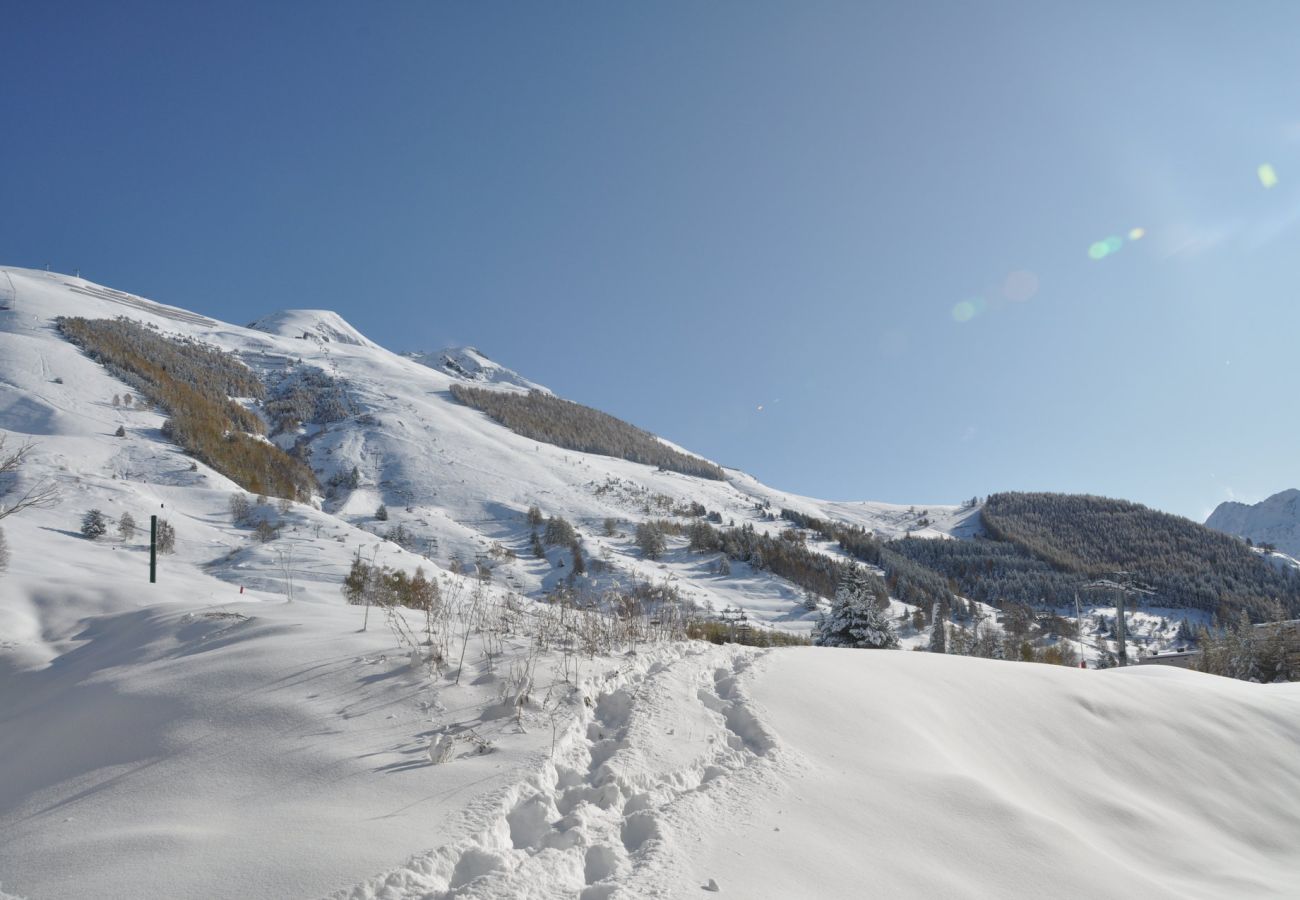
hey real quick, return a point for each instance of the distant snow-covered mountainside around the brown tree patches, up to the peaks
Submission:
(456, 481)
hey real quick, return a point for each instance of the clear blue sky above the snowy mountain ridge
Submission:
(682, 213)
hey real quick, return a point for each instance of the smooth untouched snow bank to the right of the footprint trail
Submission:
(911, 776)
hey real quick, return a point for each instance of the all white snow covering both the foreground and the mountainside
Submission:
(203, 738)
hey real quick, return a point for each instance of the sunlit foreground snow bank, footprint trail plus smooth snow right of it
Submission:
(844, 774)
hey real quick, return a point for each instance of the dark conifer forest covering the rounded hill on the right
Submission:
(1042, 549)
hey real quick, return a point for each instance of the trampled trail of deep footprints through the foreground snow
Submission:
(600, 816)
